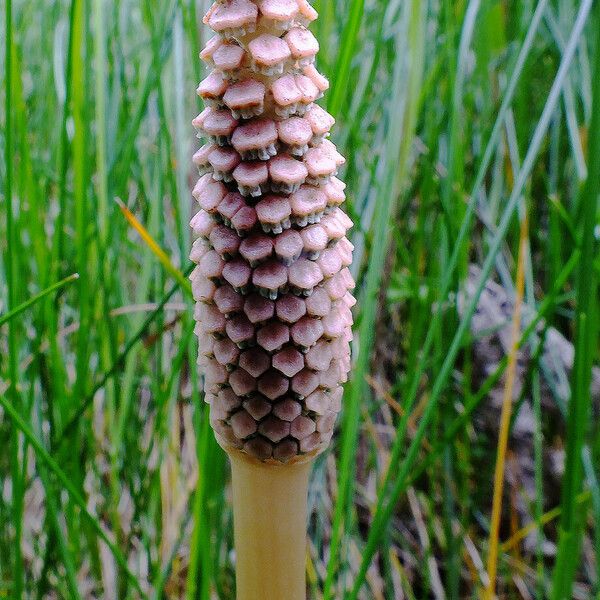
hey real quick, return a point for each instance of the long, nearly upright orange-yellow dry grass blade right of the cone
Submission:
(492, 563)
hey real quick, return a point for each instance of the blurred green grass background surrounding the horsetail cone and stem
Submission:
(472, 132)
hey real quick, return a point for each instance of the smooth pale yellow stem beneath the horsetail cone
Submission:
(269, 512)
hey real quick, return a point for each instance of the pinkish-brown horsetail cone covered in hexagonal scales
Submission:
(272, 284)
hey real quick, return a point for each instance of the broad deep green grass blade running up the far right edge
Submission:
(567, 558)
